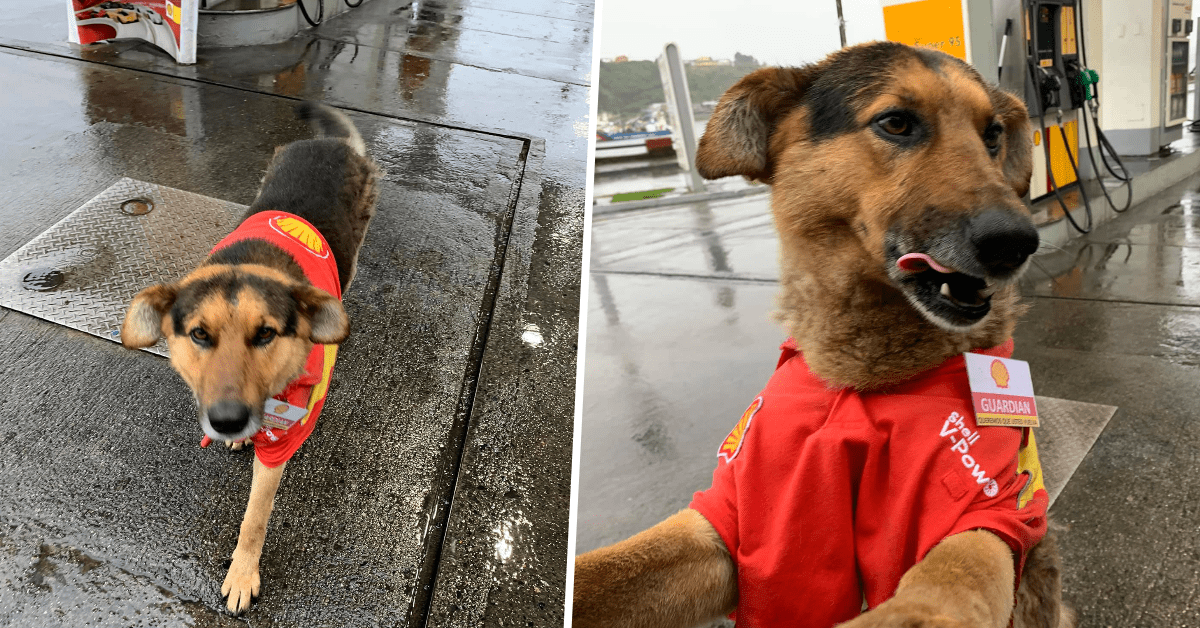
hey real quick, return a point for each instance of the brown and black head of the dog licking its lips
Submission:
(892, 164)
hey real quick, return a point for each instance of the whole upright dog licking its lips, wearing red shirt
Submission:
(897, 180)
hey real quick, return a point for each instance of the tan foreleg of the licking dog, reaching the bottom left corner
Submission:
(675, 575)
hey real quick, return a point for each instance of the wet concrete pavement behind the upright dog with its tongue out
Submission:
(681, 338)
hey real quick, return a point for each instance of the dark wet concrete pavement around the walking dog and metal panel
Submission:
(435, 491)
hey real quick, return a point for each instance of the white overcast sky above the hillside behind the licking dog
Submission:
(776, 32)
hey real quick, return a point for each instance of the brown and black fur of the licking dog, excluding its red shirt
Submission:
(897, 180)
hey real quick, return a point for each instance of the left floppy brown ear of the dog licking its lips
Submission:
(739, 135)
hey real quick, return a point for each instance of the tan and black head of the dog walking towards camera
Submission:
(237, 334)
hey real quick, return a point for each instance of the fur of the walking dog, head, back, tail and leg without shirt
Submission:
(242, 326)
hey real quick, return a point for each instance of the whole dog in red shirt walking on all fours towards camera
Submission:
(254, 331)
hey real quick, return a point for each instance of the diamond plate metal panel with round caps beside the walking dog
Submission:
(103, 256)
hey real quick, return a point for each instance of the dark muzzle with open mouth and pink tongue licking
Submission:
(952, 278)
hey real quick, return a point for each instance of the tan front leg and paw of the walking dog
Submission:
(242, 583)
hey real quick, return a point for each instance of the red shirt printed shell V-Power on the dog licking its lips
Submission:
(826, 497)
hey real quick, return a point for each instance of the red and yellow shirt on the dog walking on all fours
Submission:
(280, 438)
